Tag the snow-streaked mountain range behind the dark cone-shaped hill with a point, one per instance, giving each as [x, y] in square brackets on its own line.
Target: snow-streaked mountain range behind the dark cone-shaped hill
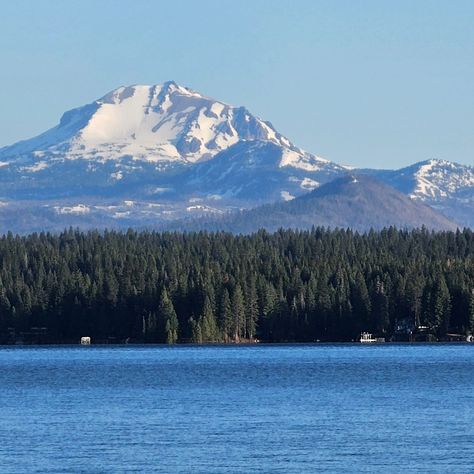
[143, 154]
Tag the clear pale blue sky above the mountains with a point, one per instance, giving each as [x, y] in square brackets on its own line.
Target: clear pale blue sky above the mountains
[379, 83]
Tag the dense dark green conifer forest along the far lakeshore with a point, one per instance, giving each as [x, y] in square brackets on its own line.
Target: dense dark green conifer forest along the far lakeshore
[198, 287]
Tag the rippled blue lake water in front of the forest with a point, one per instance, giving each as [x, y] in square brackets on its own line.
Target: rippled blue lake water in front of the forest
[237, 409]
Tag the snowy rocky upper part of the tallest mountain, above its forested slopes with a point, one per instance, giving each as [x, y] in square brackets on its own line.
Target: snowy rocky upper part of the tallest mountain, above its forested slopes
[155, 123]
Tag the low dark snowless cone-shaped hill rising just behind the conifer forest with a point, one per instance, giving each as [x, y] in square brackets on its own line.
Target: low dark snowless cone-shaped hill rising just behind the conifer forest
[354, 201]
